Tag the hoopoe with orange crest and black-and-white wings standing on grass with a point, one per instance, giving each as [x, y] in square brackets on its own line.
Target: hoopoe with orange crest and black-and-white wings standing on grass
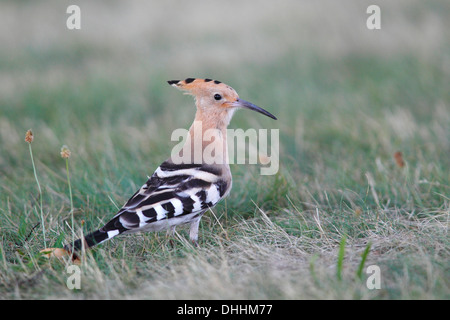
[180, 192]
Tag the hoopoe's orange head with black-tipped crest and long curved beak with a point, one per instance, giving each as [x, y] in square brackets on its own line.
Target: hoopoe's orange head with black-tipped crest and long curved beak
[215, 97]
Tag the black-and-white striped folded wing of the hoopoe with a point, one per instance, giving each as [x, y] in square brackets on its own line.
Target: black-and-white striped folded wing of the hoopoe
[173, 195]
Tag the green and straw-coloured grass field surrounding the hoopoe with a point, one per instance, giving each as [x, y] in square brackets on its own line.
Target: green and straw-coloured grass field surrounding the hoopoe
[339, 204]
